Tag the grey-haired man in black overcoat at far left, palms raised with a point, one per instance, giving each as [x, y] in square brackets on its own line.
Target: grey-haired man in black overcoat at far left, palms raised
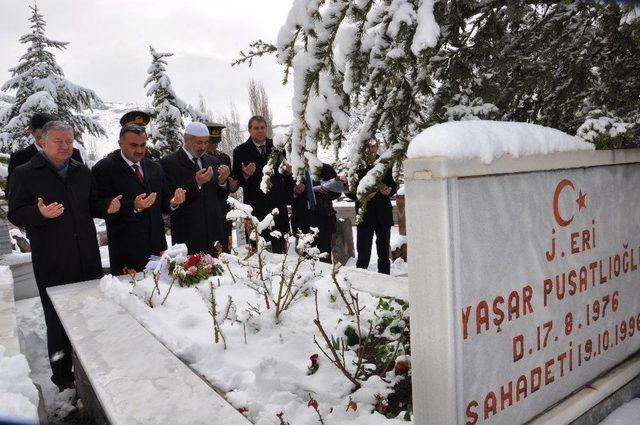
[54, 197]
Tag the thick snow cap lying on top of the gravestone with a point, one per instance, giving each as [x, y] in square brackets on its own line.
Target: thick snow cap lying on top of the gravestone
[489, 140]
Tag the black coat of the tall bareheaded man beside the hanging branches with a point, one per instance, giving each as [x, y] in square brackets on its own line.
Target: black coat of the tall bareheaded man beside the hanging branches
[279, 195]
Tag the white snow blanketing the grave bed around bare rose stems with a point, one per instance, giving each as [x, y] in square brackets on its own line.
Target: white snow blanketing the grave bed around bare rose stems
[267, 373]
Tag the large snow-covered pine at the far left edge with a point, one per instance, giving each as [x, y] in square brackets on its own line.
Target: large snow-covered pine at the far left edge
[40, 86]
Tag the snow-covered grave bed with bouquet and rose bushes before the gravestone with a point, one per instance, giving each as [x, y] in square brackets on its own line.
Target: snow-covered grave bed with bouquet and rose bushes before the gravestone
[294, 345]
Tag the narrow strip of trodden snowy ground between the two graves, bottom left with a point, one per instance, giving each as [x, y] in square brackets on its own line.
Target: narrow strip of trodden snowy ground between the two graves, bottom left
[59, 405]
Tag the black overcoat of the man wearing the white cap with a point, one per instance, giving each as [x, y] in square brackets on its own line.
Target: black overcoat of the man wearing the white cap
[198, 221]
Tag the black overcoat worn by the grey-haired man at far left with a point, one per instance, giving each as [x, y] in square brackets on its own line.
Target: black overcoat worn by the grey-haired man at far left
[65, 248]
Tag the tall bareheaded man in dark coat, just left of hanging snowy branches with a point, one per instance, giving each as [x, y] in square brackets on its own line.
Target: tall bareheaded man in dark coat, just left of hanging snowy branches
[249, 159]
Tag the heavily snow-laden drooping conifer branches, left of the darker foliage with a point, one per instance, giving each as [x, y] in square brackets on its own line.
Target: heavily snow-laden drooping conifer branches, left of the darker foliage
[348, 53]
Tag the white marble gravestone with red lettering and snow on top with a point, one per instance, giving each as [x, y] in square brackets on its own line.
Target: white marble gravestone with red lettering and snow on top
[524, 246]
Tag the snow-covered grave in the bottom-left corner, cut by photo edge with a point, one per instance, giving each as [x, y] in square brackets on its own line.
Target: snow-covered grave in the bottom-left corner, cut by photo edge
[18, 395]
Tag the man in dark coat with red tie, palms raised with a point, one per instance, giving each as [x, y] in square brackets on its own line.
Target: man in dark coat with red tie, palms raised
[137, 230]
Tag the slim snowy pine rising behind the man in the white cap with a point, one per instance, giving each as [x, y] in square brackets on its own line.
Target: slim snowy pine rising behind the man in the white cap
[168, 108]
